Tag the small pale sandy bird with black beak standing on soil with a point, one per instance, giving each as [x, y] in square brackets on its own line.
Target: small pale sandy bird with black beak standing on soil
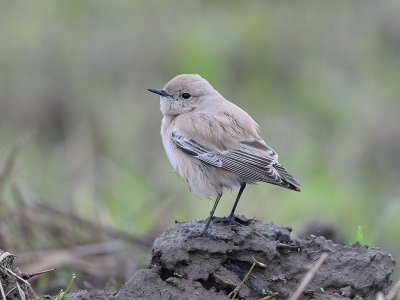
[213, 144]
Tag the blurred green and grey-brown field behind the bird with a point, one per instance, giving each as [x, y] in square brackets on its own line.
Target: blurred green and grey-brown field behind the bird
[322, 79]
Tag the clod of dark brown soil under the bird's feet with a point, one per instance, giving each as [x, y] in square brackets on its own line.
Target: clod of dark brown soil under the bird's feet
[210, 267]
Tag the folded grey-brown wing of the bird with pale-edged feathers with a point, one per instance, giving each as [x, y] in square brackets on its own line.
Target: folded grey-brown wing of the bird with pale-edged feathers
[253, 160]
